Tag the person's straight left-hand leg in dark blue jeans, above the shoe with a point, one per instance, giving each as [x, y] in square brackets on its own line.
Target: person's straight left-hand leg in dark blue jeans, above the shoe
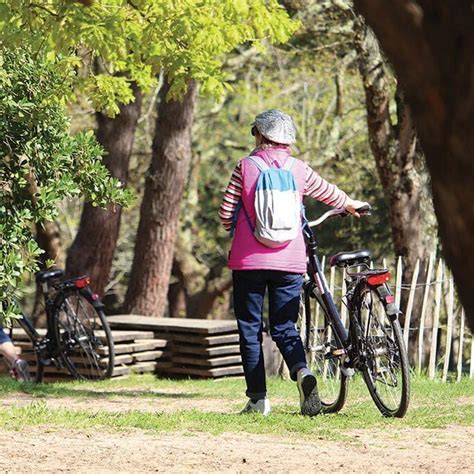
[249, 292]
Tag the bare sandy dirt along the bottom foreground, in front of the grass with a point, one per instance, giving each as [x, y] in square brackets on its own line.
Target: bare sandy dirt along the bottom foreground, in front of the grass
[58, 450]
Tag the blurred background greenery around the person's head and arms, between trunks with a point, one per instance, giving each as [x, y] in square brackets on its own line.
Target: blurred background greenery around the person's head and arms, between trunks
[335, 147]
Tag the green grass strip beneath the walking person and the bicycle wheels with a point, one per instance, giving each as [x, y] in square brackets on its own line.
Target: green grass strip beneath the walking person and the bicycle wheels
[433, 405]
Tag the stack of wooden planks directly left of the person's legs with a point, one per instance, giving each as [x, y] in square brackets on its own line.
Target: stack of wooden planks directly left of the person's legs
[197, 347]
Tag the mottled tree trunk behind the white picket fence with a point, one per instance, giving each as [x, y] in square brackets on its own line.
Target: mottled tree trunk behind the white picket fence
[398, 162]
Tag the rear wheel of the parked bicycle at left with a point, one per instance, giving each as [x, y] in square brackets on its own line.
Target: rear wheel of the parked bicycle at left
[83, 332]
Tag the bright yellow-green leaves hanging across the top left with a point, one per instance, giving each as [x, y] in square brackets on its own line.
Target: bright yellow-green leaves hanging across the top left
[136, 40]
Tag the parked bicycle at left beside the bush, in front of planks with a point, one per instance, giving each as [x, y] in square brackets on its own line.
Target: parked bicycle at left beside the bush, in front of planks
[78, 336]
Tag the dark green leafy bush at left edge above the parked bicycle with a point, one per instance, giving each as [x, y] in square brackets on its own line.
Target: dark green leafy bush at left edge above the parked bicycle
[41, 163]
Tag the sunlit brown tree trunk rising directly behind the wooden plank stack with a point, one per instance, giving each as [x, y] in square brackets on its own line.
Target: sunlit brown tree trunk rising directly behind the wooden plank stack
[159, 213]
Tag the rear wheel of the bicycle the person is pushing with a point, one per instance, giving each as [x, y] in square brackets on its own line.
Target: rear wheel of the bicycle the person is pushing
[386, 370]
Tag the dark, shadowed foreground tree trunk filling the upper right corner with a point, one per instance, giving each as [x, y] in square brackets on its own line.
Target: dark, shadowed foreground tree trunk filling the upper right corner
[431, 47]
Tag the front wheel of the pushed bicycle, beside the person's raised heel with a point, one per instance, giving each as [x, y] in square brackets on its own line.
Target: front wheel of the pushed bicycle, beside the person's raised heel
[321, 354]
